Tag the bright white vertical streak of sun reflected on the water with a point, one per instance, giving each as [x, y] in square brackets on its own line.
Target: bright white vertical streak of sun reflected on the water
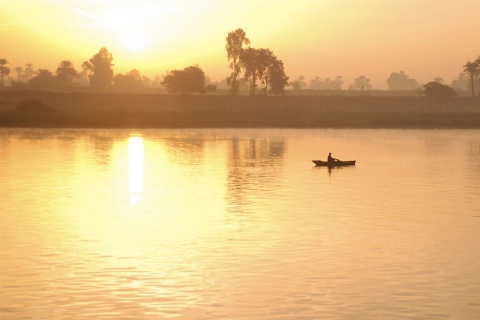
[135, 168]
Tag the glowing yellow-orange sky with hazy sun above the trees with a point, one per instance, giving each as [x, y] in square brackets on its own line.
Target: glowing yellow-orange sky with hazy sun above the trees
[324, 38]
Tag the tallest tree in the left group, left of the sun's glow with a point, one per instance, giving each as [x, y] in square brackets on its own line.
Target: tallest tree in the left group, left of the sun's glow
[100, 67]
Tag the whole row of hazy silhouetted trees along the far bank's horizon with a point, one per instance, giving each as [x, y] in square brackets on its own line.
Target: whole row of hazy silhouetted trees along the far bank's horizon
[260, 71]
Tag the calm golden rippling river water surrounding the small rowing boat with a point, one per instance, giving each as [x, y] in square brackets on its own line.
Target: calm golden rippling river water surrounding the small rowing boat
[239, 224]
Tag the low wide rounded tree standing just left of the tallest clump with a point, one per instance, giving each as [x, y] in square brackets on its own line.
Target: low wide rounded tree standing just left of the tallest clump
[186, 81]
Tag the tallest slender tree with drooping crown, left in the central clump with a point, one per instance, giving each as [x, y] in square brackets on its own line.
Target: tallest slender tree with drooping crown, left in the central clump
[235, 42]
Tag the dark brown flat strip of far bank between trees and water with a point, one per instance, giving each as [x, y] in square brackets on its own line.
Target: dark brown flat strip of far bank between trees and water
[115, 110]
